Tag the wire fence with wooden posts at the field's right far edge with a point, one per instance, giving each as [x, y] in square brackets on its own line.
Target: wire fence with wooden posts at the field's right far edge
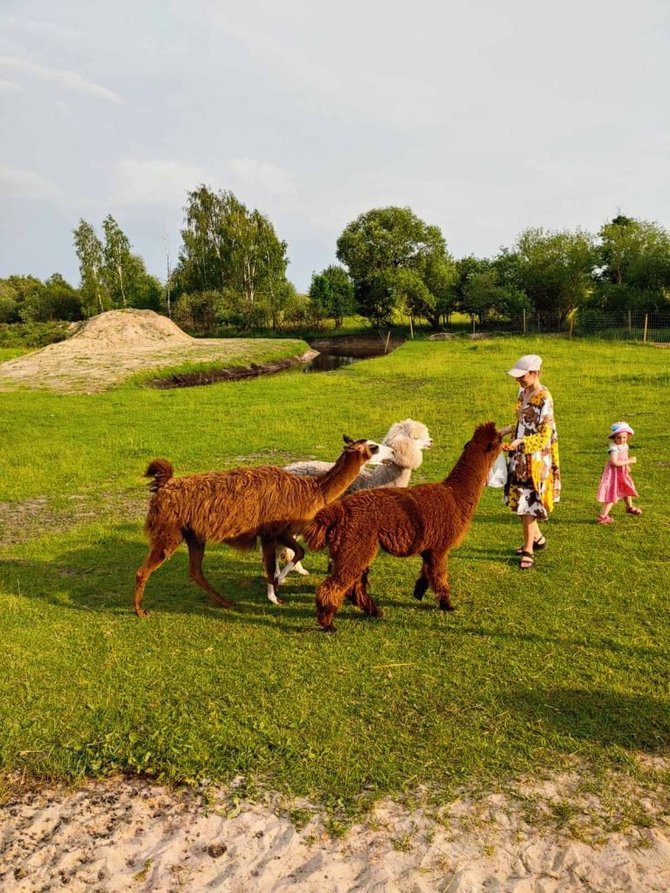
[626, 325]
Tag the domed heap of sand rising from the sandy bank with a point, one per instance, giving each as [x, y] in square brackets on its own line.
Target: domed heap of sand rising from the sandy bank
[129, 328]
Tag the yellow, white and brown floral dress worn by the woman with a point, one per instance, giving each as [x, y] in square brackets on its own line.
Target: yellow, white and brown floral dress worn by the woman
[534, 479]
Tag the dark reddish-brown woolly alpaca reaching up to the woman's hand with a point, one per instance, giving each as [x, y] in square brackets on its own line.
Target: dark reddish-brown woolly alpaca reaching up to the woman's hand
[426, 520]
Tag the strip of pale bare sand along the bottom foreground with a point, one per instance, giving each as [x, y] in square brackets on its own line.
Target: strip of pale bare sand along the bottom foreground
[131, 835]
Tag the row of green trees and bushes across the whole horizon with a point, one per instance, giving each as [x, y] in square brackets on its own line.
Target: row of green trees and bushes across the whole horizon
[231, 273]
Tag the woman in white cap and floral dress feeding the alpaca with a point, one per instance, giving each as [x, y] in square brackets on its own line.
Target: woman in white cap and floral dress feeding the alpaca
[534, 482]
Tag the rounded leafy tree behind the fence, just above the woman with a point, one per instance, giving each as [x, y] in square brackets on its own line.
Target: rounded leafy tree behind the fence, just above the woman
[555, 269]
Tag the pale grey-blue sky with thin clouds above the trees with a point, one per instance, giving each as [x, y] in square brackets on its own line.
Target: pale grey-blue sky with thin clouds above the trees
[483, 117]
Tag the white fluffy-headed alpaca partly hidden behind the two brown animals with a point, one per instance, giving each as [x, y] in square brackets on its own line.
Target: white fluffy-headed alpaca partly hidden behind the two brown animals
[407, 439]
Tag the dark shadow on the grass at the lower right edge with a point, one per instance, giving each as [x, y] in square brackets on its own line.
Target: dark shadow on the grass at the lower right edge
[604, 717]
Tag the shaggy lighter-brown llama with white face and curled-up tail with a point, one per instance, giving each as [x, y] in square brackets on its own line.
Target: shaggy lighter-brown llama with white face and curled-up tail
[237, 507]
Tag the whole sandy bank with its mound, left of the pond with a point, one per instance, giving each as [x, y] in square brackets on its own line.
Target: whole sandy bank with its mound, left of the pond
[115, 345]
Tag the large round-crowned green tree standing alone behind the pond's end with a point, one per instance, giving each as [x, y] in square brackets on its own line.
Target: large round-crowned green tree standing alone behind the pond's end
[382, 242]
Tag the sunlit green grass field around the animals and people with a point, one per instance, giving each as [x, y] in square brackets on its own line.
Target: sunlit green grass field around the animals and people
[534, 671]
